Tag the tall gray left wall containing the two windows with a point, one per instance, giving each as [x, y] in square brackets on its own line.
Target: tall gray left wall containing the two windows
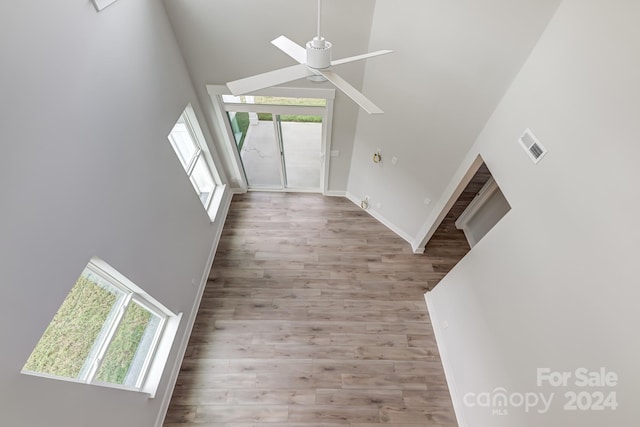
[86, 169]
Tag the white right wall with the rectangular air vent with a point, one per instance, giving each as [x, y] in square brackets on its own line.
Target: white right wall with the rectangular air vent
[554, 283]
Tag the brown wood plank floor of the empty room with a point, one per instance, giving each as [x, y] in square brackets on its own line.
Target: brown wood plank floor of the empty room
[314, 317]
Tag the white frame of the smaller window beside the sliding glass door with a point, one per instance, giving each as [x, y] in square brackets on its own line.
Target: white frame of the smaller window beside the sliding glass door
[212, 203]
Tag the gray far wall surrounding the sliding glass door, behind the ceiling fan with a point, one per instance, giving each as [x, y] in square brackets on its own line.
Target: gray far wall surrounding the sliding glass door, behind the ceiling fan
[225, 40]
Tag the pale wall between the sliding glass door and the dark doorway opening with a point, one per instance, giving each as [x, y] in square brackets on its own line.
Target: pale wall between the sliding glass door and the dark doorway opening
[453, 61]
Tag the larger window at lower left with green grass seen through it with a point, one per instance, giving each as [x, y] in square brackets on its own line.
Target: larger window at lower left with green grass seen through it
[103, 333]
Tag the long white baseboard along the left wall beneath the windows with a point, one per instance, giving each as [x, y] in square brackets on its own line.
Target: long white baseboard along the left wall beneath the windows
[175, 370]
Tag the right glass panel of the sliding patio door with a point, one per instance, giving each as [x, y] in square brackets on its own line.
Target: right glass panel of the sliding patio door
[302, 147]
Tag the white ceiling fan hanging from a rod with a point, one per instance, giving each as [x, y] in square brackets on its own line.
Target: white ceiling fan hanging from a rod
[314, 63]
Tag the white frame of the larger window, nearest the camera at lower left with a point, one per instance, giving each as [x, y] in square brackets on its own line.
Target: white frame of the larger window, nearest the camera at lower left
[157, 354]
